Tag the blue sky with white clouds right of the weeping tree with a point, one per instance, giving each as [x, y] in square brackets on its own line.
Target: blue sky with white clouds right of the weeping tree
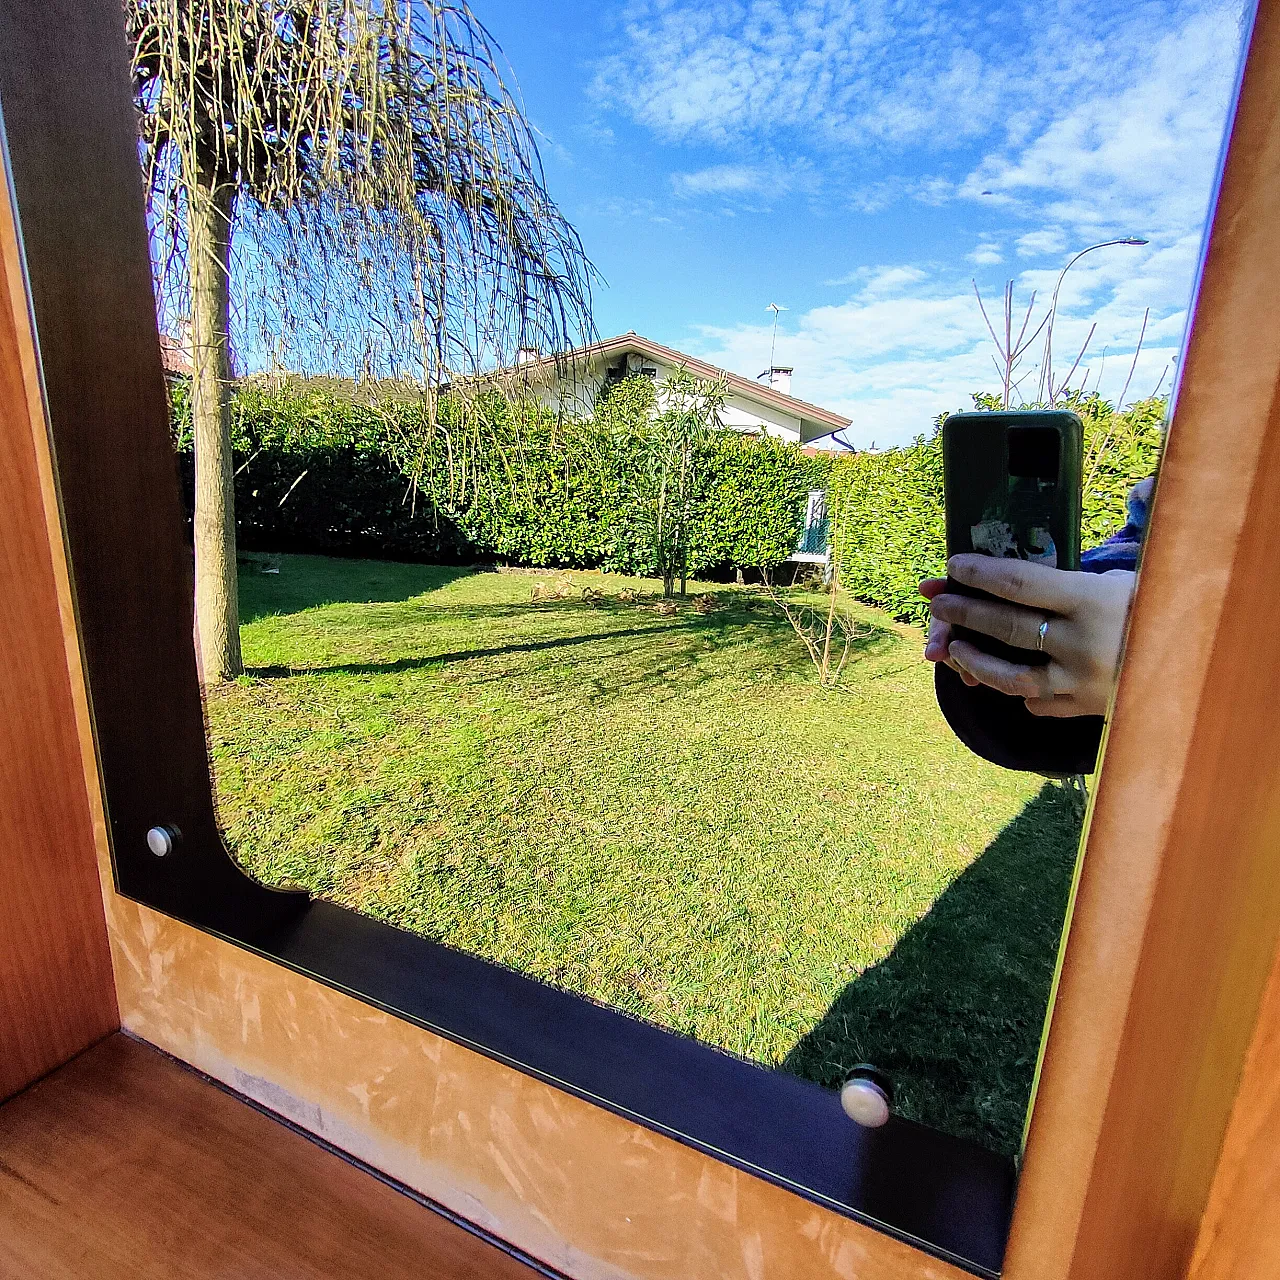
[861, 163]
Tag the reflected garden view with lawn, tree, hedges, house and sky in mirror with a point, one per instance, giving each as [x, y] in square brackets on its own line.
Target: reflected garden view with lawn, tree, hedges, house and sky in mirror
[598, 655]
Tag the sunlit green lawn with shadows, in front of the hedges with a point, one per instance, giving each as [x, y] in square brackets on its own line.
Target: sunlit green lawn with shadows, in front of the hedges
[662, 813]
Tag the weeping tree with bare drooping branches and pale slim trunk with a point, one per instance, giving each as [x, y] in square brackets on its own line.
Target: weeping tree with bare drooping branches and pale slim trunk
[341, 186]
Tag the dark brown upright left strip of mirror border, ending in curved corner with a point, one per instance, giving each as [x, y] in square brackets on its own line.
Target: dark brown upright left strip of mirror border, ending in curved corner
[72, 141]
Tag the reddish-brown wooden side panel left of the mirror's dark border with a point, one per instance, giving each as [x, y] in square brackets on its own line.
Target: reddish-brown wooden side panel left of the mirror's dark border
[57, 994]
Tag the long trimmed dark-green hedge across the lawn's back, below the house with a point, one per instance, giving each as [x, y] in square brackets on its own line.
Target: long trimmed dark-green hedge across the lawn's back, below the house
[321, 469]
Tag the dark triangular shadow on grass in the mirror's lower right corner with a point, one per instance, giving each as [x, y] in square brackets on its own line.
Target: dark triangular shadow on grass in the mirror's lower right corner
[954, 1013]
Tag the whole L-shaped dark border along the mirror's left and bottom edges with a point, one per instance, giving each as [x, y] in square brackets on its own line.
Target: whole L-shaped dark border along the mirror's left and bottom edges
[74, 170]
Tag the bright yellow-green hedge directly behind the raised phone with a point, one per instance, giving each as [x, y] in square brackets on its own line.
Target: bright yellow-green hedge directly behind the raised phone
[889, 516]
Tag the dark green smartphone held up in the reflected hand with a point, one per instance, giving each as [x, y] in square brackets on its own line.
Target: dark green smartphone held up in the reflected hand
[1013, 490]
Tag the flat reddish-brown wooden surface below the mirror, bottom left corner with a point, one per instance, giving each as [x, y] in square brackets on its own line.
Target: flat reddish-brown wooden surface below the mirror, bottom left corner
[126, 1164]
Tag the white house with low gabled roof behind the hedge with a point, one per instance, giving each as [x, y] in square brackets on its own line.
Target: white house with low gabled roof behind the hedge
[573, 382]
